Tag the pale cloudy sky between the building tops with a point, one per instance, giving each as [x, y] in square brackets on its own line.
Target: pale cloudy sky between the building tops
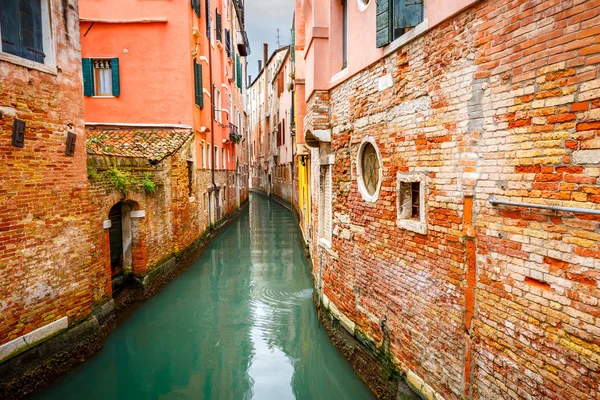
[263, 18]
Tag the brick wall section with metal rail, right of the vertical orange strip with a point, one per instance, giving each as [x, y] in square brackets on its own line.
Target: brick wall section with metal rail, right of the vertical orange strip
[537, 327]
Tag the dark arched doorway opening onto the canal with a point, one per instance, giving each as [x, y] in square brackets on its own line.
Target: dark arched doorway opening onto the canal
[121, 242]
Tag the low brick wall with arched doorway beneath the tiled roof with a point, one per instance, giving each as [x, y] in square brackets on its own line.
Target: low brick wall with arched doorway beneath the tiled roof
[173, 219]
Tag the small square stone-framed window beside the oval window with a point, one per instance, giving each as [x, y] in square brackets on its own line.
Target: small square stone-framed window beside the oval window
[411, 203]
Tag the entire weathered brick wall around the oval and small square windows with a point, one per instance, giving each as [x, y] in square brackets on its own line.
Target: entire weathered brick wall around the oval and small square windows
[500, 100]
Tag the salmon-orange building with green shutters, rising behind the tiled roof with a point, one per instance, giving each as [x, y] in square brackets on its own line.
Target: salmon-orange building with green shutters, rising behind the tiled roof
[165, 64]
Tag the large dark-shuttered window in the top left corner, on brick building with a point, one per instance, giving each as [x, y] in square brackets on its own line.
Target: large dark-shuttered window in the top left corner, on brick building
[21, 29]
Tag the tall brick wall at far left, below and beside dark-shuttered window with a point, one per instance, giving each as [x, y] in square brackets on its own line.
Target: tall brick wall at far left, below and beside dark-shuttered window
[46, 236]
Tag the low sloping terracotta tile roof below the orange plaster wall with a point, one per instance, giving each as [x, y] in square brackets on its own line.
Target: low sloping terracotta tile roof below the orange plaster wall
[153, 144]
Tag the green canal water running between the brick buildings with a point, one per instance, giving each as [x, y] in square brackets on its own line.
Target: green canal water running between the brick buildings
[238, 324]
